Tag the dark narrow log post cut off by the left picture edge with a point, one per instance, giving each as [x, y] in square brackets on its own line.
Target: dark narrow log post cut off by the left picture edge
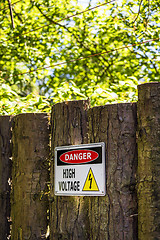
[5, 175]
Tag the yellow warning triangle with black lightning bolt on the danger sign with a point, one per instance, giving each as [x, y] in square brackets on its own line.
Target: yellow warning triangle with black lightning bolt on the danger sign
[90, 183]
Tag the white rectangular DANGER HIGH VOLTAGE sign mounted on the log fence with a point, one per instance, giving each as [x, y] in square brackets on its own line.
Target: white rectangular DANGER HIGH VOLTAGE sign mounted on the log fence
[80, 170]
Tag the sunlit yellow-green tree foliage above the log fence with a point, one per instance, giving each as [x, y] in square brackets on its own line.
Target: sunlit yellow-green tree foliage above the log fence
[26, 86]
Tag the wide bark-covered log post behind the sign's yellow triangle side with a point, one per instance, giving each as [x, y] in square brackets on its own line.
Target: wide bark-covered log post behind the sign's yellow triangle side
[114, 216]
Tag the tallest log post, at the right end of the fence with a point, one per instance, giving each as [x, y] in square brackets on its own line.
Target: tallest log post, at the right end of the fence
[149, 161]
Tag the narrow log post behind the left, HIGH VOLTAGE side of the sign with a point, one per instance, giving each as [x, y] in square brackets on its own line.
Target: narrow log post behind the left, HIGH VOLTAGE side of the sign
[68, 215]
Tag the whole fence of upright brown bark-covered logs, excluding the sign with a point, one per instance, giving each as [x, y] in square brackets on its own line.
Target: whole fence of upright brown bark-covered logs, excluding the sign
[131, 208]
